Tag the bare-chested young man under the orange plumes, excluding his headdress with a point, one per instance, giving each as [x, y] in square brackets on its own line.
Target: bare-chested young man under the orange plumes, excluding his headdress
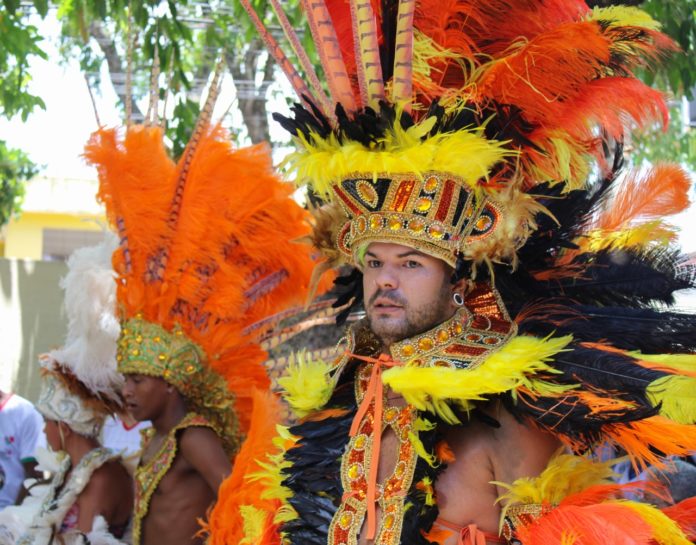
[182, 465]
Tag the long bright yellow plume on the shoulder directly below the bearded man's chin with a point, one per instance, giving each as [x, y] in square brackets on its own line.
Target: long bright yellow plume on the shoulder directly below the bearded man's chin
[507, 369]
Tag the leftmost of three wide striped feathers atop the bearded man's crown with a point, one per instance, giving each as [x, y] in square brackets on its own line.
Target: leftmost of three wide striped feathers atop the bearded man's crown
[329, 50]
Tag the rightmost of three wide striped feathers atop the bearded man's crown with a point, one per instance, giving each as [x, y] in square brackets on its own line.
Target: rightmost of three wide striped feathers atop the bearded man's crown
[403, 54]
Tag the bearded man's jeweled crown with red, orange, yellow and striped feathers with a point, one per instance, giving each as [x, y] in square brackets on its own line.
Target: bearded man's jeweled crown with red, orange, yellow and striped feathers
[443, 116]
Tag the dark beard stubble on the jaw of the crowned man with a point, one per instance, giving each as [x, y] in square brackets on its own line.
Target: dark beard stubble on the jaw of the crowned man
[416, 320]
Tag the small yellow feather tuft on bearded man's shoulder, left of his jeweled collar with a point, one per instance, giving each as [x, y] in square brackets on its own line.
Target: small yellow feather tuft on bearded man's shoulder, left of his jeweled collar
[307, 384]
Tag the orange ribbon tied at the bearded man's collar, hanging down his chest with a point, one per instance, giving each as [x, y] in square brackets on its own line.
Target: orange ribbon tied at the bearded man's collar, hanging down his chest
[374, 392]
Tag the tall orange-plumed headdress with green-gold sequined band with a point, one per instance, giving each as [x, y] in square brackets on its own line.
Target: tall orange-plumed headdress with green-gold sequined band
[206, 252]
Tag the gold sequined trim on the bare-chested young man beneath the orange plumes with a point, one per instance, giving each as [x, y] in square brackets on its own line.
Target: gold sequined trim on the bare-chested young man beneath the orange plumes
[148, 476]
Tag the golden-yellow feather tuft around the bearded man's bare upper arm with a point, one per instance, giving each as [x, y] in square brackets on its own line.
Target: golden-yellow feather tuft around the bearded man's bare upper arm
[566, 474]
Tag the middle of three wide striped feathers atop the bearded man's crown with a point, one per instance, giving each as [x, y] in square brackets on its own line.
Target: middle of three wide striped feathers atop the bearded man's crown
[366, 44]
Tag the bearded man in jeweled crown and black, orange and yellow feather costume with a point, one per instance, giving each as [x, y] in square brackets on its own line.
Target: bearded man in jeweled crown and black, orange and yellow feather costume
[512, 306]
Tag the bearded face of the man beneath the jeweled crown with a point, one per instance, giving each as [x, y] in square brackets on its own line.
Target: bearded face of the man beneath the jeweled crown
[407, 292]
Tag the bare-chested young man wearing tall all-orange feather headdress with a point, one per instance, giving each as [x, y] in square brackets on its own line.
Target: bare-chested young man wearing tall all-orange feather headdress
[206, 257]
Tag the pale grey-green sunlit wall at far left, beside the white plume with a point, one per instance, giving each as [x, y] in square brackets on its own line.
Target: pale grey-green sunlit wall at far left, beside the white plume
[31, 321]
